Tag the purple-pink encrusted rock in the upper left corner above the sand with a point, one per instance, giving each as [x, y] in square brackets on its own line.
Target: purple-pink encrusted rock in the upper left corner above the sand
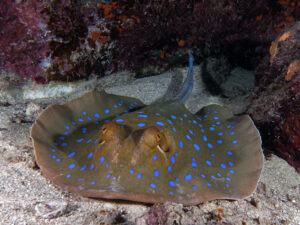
[22, 37]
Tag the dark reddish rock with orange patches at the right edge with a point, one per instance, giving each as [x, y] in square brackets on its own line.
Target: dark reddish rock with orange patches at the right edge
[276, 102]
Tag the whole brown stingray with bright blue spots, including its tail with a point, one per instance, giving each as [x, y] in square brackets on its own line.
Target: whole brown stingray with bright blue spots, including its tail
[109, 146]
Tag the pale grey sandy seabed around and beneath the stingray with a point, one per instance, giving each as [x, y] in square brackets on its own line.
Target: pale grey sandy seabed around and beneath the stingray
[26, 197]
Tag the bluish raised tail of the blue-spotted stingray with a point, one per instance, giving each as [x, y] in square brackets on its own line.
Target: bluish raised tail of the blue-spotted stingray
[187, 86]
